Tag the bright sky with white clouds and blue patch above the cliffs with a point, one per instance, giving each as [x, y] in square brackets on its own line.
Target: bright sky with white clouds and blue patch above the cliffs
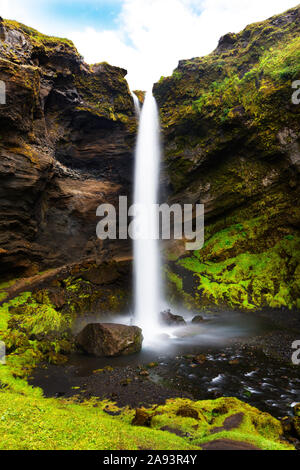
[146, 37]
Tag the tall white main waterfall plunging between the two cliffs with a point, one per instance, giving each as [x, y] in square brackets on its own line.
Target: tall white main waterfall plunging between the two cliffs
[147, 278]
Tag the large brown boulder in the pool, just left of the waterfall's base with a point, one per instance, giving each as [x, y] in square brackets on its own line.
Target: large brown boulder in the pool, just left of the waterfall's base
[110, 339]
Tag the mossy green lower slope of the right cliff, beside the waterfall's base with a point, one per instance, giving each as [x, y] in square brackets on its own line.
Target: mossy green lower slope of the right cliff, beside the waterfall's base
[248, 265]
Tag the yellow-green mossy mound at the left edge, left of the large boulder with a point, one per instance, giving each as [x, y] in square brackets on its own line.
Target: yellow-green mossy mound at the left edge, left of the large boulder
[33, 332]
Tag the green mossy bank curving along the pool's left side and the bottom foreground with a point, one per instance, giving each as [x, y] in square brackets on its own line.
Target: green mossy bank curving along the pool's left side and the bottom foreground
[28, 421]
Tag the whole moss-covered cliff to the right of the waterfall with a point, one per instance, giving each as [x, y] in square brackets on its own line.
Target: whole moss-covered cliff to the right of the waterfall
[231, 137]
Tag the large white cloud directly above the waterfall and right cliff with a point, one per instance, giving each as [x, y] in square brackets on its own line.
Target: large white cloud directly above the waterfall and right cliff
[153, 35]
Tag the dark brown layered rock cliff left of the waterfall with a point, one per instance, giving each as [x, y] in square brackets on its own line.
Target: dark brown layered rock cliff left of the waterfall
[67, 137]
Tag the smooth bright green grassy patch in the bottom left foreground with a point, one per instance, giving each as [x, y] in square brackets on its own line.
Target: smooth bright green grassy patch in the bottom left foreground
[31, 423]
